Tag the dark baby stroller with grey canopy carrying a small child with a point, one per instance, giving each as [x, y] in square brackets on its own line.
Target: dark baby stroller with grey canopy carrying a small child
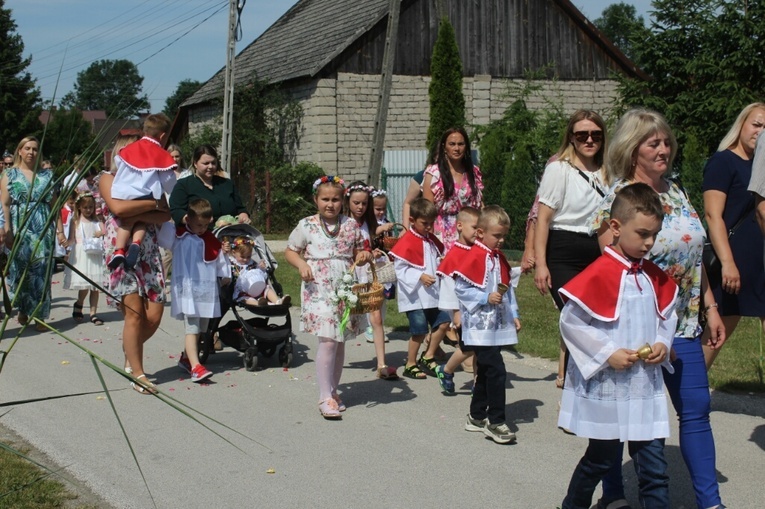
[256, 335]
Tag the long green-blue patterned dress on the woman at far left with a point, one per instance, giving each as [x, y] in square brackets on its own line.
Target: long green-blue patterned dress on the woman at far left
[30, 208]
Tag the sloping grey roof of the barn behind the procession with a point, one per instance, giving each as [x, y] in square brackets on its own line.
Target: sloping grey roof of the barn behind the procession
[304, 40]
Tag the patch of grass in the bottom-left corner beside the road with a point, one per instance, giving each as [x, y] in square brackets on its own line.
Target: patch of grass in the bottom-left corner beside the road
[23, 485]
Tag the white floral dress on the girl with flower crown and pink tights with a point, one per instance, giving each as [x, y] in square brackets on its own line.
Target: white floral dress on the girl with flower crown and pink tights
[329, 258]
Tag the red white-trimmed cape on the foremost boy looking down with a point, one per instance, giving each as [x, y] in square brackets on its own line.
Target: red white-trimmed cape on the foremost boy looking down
[598, 288]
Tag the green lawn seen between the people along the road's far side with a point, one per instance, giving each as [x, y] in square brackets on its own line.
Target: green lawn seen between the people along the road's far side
[737, 368]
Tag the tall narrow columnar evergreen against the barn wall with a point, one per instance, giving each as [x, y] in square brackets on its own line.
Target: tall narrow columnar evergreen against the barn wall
[447, 104]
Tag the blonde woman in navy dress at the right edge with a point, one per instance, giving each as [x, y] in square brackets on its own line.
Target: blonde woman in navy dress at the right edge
[726, 202]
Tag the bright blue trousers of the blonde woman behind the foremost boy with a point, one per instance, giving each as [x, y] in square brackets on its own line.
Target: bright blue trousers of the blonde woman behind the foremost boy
[688, 389]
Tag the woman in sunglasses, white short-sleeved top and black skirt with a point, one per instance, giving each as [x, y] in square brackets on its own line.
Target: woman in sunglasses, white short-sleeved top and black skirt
[570, 191]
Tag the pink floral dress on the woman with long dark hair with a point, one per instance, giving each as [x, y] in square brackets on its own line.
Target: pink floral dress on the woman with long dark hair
[446, 222]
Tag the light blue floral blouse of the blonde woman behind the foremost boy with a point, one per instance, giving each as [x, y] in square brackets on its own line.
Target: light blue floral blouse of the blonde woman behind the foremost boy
[677, 250]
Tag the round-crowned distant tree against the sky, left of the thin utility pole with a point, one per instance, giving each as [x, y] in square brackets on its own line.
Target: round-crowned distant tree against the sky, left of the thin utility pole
[110, 85]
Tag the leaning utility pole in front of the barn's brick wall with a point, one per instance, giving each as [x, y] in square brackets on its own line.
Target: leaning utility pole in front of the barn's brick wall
[383, 99]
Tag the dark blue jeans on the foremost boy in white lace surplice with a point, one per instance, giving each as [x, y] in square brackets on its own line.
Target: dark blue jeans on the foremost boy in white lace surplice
[602, 455]
